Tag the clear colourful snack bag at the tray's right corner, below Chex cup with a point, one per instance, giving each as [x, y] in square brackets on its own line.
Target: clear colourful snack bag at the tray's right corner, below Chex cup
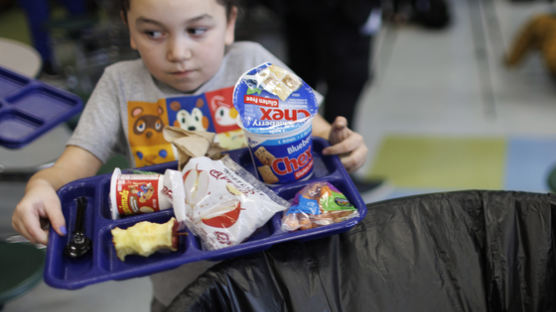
[317, 204]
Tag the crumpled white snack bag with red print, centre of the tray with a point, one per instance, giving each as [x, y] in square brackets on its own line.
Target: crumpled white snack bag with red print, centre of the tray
[220, 201]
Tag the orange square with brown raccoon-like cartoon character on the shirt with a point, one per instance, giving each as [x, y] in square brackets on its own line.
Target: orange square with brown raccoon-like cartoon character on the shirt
[146, 122]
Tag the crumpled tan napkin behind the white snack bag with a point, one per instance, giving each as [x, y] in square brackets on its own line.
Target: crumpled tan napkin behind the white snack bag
[192, 144]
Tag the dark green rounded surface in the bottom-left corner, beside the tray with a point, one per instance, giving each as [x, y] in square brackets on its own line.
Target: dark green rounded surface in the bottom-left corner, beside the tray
[21, 267]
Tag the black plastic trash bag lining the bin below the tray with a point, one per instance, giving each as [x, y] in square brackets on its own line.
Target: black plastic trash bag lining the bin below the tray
[458, 251]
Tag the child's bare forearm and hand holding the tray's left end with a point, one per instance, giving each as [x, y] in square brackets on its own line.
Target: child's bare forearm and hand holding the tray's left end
[41, 202]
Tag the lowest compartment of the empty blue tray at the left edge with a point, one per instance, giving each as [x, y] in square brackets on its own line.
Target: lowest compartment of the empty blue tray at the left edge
[15, 126]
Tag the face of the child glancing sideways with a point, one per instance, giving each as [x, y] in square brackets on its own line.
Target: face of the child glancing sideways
[181, 42]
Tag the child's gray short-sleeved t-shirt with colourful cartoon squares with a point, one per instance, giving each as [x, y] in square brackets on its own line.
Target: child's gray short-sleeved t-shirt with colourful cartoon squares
[126, 93]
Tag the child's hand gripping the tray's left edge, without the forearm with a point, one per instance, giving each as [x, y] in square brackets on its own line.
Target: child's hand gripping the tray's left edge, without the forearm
[40, 204]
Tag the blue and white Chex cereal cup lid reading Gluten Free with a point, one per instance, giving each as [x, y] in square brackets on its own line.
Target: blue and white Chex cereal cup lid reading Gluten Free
[271, 100]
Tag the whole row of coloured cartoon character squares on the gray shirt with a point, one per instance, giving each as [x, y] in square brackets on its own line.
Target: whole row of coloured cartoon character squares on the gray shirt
[212, 111]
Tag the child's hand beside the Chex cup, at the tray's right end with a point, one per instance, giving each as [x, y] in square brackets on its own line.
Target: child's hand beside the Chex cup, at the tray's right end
[349, 145]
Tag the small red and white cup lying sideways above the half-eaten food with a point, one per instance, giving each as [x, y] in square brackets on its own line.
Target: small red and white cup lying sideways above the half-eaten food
[136, 193]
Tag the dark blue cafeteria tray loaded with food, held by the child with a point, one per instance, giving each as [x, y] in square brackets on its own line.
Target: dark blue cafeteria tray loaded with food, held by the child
[102, 264]
